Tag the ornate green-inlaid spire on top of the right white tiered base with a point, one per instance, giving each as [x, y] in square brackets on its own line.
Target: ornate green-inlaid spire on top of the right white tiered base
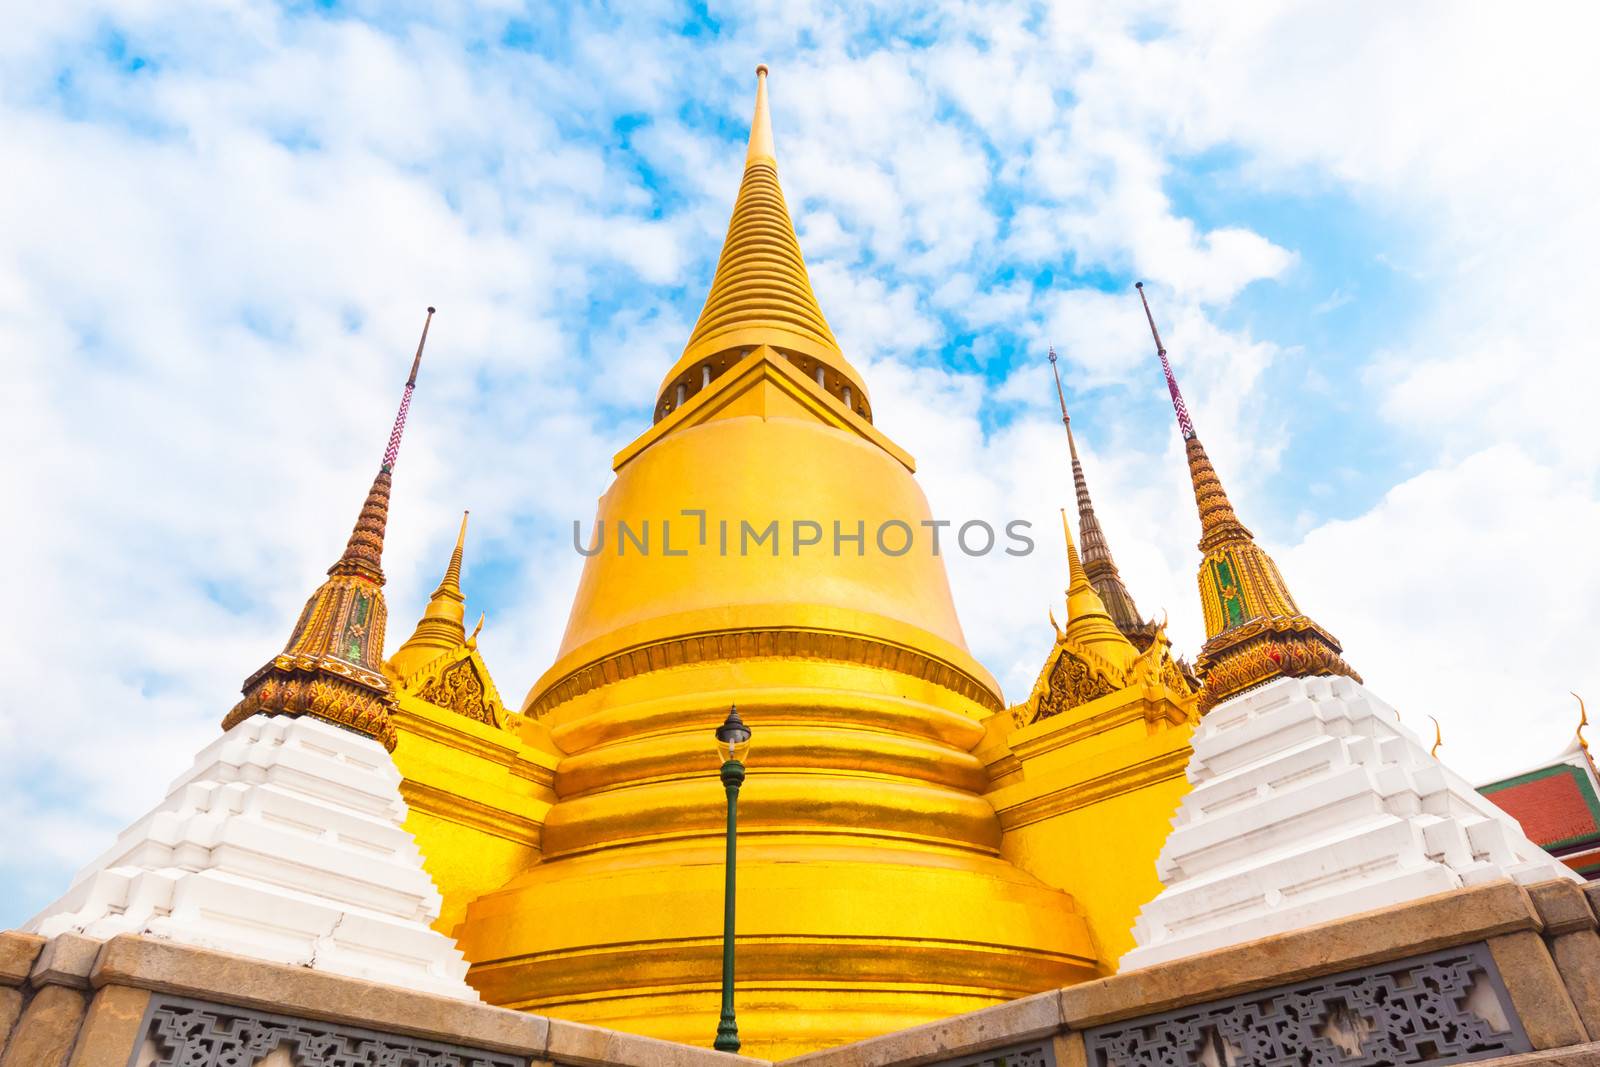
[1255, 631]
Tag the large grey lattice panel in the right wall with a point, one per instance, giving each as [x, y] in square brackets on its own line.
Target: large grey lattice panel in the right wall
[1439, 1009]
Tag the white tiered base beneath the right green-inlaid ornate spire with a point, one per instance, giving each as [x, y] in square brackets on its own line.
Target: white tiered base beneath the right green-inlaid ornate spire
[1313, 802]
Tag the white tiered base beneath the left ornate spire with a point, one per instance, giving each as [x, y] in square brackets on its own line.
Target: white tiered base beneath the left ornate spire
[284, 842]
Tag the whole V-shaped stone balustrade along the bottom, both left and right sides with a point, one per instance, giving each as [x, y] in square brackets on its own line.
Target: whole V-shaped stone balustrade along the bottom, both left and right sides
[1492, 975]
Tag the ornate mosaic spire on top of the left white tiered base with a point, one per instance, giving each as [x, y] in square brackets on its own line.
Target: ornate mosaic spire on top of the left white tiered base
[332, 666]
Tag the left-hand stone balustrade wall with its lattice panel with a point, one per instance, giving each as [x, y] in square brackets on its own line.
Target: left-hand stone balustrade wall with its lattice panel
[140, 1002]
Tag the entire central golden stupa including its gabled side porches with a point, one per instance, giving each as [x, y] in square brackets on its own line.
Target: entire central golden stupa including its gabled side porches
[910, 845]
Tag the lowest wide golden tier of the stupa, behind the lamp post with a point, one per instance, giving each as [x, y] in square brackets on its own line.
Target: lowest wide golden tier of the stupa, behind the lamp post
[838, 940]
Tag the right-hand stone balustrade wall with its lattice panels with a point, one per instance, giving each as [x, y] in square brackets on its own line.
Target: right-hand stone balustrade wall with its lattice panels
[1529, 961]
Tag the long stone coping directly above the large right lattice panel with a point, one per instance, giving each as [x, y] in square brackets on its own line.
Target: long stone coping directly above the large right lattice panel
[1345, 945]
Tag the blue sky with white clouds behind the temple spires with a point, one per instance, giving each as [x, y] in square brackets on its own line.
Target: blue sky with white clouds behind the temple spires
[1369, 255]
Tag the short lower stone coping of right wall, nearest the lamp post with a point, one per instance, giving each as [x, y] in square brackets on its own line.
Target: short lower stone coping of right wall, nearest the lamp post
[959, 1036]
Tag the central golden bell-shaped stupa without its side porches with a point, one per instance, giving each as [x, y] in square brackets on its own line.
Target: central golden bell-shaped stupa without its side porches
[873, 889]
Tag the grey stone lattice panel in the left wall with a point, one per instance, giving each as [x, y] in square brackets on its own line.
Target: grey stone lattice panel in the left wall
[196, 1034]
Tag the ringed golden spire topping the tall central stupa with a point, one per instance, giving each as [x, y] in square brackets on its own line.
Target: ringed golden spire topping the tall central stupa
[761, 294]
